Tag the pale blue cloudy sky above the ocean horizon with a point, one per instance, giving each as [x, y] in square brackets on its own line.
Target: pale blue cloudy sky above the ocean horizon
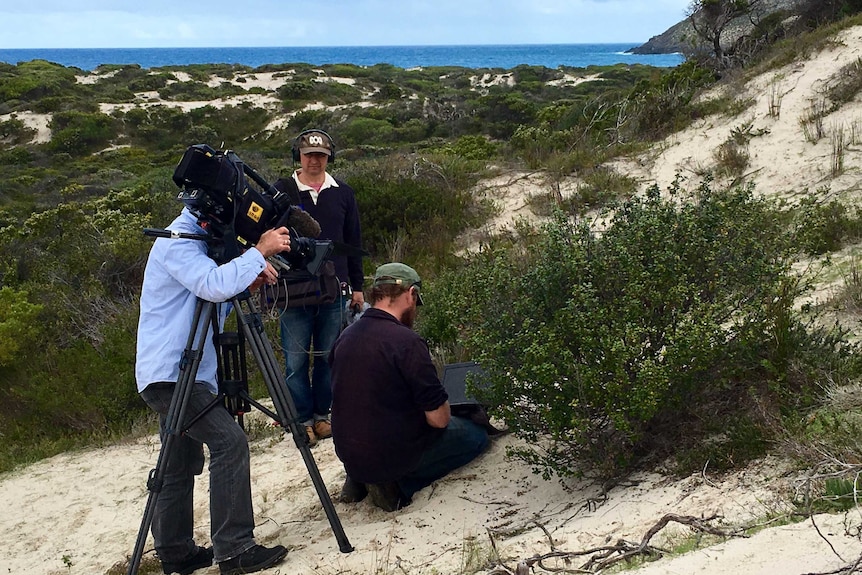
[220, 23]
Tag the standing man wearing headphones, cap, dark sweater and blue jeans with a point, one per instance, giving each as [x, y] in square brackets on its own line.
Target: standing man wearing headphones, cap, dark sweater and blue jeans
[308, 332]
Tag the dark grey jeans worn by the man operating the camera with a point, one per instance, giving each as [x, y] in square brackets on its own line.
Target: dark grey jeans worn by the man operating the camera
[231, 513]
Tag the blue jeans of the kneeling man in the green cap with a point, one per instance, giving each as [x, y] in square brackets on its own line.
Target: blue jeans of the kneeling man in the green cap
[460, 443]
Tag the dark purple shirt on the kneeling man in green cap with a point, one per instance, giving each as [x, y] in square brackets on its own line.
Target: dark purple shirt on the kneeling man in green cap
[383, 382]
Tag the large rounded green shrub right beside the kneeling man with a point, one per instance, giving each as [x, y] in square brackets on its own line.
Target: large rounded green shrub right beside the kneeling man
[645, 341]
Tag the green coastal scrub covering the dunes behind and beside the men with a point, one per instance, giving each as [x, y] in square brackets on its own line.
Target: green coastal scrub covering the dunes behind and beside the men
[601, 347]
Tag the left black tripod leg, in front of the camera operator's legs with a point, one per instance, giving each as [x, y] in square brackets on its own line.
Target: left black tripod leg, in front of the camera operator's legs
[174, 419]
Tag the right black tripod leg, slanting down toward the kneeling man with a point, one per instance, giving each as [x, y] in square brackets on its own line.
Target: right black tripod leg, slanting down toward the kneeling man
[252, 327]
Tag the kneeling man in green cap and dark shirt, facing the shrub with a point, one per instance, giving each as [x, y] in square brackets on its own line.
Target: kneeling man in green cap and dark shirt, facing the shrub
[391, 422]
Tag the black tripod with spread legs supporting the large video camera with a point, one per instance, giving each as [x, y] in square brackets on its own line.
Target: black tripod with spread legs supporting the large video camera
[238, 401]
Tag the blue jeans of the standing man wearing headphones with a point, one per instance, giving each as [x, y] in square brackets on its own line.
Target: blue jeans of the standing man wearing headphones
[307, 332]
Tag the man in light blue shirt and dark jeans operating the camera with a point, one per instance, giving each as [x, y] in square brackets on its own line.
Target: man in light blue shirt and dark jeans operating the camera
[179, 271]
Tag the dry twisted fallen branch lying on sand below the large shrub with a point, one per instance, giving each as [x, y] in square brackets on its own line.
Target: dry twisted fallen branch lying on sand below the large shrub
[600, 558]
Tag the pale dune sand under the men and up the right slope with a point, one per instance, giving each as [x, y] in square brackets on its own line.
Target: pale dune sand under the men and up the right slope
[79, 513]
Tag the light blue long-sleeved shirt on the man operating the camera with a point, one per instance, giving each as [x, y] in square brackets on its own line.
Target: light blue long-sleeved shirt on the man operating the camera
[178, 272]
